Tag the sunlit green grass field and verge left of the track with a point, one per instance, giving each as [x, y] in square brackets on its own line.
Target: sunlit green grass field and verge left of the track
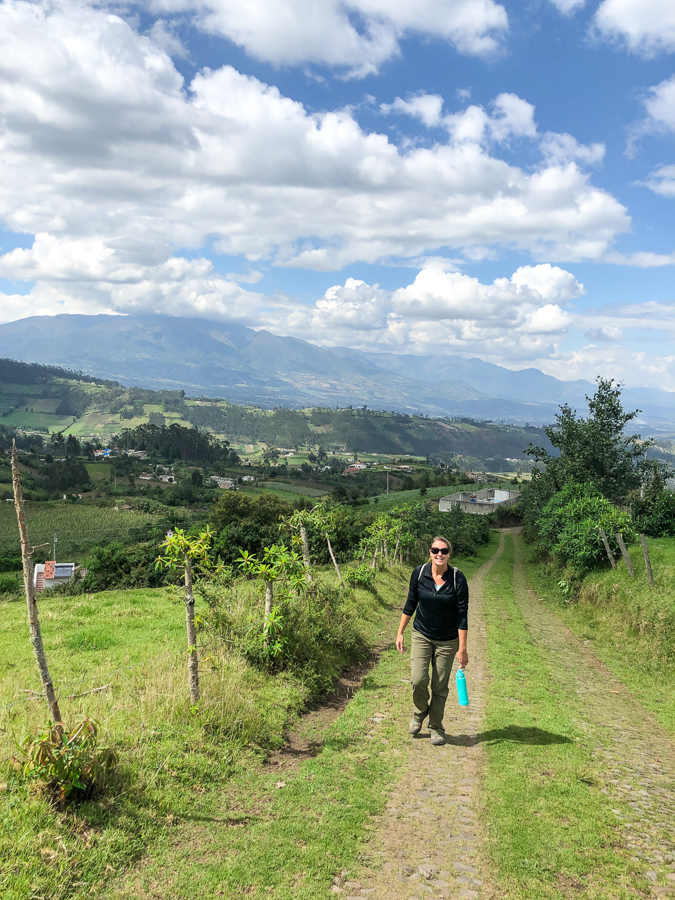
[182, 769]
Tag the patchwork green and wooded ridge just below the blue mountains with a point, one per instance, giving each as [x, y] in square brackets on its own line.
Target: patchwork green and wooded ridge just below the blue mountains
[48, 399]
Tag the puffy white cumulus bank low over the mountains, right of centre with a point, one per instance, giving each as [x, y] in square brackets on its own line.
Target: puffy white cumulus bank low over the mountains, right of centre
[512, 317]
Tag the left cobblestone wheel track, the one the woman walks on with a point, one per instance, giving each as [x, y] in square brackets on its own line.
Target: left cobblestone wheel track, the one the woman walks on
[427, 842]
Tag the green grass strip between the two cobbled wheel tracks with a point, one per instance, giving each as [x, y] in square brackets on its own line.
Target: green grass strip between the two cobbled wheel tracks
[544, 819]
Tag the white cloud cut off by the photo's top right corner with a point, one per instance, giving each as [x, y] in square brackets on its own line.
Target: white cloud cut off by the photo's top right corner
[646, 27]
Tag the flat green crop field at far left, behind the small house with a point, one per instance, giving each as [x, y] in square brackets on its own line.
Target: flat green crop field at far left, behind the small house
[77, 526]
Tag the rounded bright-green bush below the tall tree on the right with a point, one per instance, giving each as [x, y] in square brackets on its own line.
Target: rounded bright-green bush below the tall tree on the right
[569, 526]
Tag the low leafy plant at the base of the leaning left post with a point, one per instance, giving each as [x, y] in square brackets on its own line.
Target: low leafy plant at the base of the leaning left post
[71, 764]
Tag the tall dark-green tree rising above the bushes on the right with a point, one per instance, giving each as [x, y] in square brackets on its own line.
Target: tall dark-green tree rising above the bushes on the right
[594, 449]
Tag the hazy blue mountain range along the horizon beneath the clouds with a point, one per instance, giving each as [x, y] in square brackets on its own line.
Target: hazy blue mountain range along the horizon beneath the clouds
[219, 359]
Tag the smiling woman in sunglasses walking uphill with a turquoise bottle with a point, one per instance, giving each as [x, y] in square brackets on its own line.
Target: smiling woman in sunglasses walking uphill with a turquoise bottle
[440, 594]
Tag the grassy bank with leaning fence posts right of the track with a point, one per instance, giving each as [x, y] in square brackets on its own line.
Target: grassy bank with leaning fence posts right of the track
[629, 625]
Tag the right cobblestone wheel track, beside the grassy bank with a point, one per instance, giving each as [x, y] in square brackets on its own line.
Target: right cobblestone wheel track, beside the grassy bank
[635, 755]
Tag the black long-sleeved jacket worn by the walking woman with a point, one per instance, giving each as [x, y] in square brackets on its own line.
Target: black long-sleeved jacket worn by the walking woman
[439, 613]
